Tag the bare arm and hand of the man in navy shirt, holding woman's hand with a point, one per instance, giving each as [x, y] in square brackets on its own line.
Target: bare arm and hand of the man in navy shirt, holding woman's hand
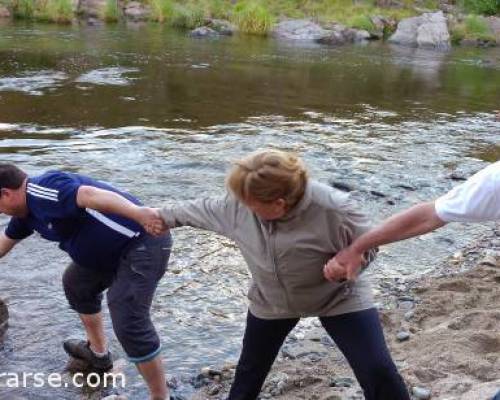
[109, 202]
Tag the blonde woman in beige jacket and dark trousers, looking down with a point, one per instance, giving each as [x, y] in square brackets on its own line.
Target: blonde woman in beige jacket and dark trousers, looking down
[288, 227]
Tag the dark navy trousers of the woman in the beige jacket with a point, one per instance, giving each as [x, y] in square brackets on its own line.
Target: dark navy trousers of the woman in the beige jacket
[358, 335]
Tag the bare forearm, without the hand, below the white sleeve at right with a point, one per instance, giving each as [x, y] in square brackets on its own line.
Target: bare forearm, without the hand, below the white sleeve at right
[415, 221]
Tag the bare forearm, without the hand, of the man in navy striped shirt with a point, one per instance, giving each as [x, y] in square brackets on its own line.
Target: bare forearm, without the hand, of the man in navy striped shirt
[107, 202]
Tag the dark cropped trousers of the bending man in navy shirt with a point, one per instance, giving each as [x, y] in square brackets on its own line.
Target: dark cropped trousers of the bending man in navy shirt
[130, 293]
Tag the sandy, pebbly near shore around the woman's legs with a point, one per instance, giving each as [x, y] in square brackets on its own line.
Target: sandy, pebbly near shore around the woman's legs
[443, 332]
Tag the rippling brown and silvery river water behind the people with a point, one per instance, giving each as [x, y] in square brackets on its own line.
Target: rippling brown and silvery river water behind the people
[162, 115]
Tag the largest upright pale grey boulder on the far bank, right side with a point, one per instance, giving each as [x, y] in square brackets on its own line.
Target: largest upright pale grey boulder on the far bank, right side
[430, 30]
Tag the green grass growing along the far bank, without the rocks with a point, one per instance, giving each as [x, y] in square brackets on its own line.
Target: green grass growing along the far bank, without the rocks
[258, 16]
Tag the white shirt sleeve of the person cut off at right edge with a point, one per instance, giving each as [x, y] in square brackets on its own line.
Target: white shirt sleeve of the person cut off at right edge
[475, 200]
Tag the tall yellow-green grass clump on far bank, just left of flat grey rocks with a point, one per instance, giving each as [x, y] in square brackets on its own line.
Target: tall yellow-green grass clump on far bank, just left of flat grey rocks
[253, 17]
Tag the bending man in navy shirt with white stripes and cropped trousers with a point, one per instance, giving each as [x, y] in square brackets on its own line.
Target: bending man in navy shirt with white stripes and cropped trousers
[104, 232]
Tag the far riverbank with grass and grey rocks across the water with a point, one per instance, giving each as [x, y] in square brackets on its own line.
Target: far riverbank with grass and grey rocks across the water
[412, 24]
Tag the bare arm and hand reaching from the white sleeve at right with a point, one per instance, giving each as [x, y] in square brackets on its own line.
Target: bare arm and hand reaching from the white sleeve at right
[415, 221]
